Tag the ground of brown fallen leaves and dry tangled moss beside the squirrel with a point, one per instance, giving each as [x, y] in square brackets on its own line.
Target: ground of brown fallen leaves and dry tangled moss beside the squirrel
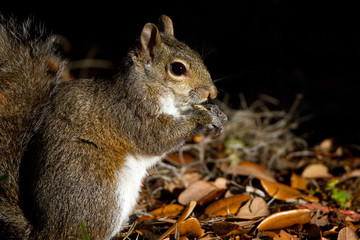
[257, 180]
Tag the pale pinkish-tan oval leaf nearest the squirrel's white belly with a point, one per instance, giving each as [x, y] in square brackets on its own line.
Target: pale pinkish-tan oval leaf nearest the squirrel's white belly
[196, 191]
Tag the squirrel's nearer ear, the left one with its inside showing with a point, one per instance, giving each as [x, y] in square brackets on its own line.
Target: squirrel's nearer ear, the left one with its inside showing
[150, 38]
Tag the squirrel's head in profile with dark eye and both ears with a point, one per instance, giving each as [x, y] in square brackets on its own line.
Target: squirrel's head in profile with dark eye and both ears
[175, 66]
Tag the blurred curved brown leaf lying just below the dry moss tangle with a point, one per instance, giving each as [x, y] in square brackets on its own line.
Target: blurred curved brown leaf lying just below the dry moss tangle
[251, 169]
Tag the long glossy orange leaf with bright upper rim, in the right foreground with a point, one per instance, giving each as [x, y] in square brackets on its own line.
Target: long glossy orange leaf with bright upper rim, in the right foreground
[285, 219]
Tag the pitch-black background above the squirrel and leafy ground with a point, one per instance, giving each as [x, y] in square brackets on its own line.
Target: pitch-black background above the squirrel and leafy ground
[275, 47]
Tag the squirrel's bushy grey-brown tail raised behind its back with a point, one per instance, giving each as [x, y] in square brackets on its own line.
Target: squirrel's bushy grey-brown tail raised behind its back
[29, 71]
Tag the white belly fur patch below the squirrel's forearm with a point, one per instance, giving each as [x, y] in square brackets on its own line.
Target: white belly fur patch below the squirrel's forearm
[129, 179]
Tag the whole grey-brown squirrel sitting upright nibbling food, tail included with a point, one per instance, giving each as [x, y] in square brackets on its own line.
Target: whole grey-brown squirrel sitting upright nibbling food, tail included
[79, 149]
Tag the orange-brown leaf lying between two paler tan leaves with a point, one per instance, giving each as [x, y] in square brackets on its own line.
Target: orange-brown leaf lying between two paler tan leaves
[226, 206]
